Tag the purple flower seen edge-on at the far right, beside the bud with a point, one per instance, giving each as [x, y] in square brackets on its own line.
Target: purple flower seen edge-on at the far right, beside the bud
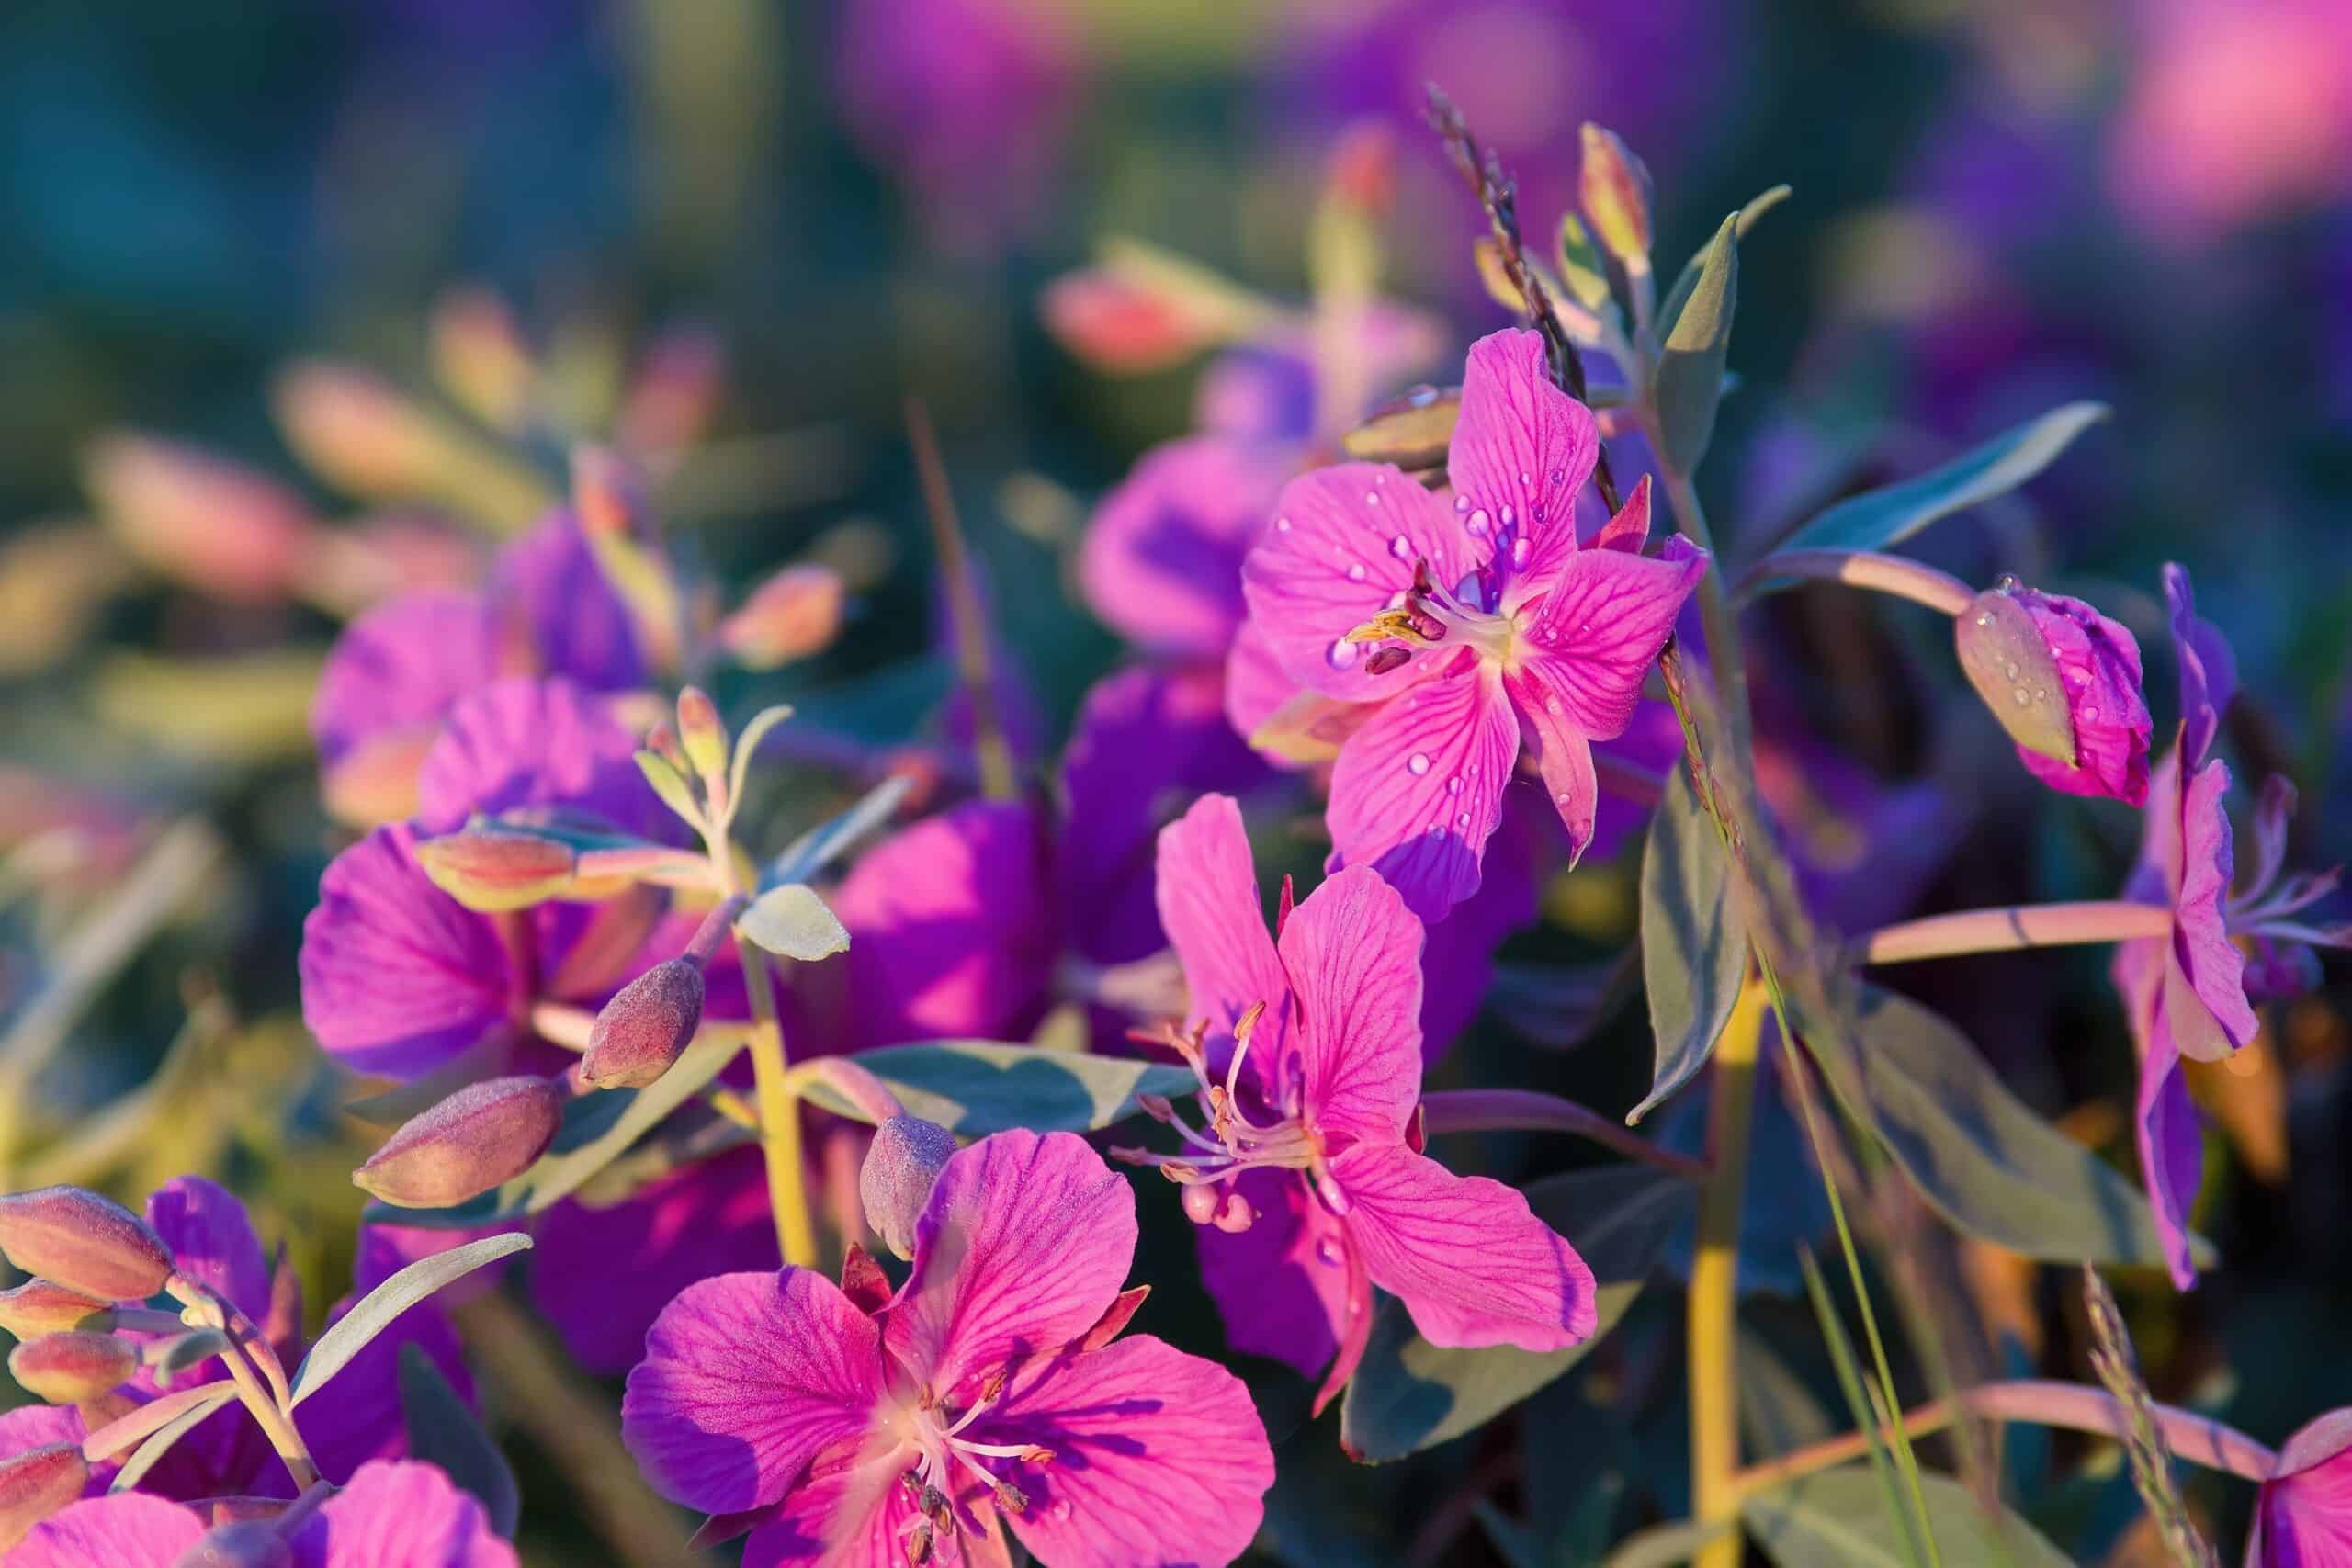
[2189, 993]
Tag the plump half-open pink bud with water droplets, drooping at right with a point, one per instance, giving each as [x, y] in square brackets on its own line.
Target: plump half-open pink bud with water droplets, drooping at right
[2064, 683]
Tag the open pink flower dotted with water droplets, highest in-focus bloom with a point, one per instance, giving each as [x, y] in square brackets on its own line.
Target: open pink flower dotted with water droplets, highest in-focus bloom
[1476, 626]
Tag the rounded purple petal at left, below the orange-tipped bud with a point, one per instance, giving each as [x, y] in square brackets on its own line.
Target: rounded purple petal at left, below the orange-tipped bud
[396, 977]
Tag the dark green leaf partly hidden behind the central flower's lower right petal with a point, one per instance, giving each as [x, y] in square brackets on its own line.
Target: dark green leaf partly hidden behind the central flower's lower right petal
[1410, 1395]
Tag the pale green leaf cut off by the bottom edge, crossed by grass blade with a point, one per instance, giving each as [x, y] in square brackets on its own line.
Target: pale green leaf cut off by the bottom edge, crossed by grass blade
[1838, 1520]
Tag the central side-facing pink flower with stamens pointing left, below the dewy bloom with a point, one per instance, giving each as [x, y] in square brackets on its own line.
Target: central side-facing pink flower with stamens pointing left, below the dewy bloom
[1309, 1184]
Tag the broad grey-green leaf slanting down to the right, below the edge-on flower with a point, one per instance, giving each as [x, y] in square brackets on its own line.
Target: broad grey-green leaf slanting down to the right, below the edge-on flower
[1972, 1148]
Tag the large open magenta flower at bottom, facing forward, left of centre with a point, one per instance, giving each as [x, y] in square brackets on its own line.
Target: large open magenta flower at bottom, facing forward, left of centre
[991, 1388]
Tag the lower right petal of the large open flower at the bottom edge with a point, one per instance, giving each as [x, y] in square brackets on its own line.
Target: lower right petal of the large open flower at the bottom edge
[1158, 1459]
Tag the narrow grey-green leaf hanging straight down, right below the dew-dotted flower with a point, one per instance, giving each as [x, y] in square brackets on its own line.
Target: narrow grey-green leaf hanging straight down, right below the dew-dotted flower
[1695, 939]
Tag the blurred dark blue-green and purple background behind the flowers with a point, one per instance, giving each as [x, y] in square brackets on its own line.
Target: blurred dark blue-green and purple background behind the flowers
[737, 236]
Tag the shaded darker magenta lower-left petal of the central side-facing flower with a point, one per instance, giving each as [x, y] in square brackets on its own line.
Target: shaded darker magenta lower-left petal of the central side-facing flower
[1281, 1285]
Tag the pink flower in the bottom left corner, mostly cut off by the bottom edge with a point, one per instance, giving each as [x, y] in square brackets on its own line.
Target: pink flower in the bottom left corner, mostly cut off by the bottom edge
[387, 1515]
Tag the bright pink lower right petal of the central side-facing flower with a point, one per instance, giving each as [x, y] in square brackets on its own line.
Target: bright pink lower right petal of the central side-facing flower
[1466, 1257]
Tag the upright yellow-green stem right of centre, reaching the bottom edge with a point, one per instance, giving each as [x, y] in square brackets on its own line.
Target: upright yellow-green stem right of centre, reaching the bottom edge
[1713, 1308]
